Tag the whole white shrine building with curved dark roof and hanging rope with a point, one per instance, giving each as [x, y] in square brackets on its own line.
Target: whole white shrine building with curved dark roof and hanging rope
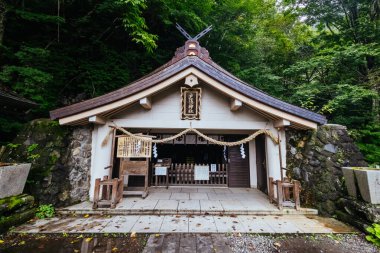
[190, 123]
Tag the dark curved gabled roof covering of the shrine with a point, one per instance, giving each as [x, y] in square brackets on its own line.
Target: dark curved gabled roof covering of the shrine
[186, 57]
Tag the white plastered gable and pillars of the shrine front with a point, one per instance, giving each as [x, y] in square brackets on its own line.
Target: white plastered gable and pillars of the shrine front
[165, 114]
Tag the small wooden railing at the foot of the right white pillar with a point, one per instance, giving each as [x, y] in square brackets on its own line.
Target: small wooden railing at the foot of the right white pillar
[287, 193]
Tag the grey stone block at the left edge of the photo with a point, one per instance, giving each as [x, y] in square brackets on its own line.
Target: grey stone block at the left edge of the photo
[13, 179]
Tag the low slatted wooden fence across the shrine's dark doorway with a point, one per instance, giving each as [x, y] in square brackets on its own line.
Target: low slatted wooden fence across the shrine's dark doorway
[183, 174]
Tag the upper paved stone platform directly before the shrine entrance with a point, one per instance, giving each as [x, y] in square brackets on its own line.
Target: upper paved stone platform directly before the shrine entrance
[197, 201]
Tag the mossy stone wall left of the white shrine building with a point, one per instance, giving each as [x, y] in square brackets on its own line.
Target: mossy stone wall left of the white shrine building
[61, 161]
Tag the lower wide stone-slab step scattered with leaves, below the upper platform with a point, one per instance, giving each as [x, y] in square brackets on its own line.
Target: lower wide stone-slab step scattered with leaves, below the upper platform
[186, 224]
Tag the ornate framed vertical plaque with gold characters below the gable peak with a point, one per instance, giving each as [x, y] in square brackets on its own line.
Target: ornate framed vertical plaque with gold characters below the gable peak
[191, 103]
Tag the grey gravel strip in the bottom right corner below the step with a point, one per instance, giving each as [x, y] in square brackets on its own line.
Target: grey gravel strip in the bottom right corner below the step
[340, 243]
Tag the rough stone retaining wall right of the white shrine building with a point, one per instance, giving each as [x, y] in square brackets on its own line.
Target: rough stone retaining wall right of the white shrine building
[315, 158]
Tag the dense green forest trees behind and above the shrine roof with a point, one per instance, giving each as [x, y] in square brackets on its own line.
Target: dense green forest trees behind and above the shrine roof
[323, 55]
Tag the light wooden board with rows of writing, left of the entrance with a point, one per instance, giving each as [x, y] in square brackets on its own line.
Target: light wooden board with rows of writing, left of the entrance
[131, 147]
